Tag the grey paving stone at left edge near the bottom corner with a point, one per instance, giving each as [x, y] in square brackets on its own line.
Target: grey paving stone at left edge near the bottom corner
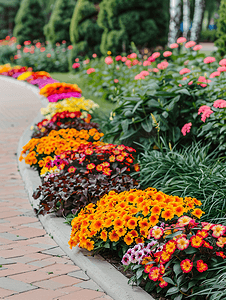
[15, 285]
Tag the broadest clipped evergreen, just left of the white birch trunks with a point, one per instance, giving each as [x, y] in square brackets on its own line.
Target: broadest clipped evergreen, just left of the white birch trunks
[143, 22]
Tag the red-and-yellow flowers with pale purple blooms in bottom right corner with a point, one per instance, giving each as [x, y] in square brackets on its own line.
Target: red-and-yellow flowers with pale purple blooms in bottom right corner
[189, 247]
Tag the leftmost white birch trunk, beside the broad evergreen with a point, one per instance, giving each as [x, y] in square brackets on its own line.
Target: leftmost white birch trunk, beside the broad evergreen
[174, 24]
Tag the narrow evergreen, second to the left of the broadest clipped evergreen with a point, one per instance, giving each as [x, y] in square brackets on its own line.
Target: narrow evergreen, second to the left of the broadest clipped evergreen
[57, 29]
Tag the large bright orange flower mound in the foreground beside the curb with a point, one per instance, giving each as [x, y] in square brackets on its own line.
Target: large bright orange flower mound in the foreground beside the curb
[127, 217]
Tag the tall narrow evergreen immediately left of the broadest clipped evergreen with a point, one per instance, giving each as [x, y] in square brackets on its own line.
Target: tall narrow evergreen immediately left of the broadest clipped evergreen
[85, 33]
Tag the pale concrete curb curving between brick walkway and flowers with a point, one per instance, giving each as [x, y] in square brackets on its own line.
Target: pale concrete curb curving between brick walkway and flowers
[103, 273]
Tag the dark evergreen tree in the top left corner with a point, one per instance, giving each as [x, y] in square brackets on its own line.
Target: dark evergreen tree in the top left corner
[8, 10]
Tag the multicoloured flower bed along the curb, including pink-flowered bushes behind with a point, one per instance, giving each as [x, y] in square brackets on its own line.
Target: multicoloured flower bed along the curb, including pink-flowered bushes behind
[158, 236]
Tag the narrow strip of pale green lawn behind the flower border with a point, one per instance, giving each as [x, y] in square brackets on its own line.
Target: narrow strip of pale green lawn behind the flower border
[105, 106]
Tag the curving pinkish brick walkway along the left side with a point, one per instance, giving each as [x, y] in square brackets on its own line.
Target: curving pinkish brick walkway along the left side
[32, 266]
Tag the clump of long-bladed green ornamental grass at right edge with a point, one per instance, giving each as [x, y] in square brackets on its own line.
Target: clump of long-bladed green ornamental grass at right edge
[193, 171]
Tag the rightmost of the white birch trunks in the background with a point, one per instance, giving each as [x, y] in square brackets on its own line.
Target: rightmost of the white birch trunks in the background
[197, 20]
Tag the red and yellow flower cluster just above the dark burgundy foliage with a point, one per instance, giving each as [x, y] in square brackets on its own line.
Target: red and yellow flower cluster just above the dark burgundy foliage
[91, 158]
